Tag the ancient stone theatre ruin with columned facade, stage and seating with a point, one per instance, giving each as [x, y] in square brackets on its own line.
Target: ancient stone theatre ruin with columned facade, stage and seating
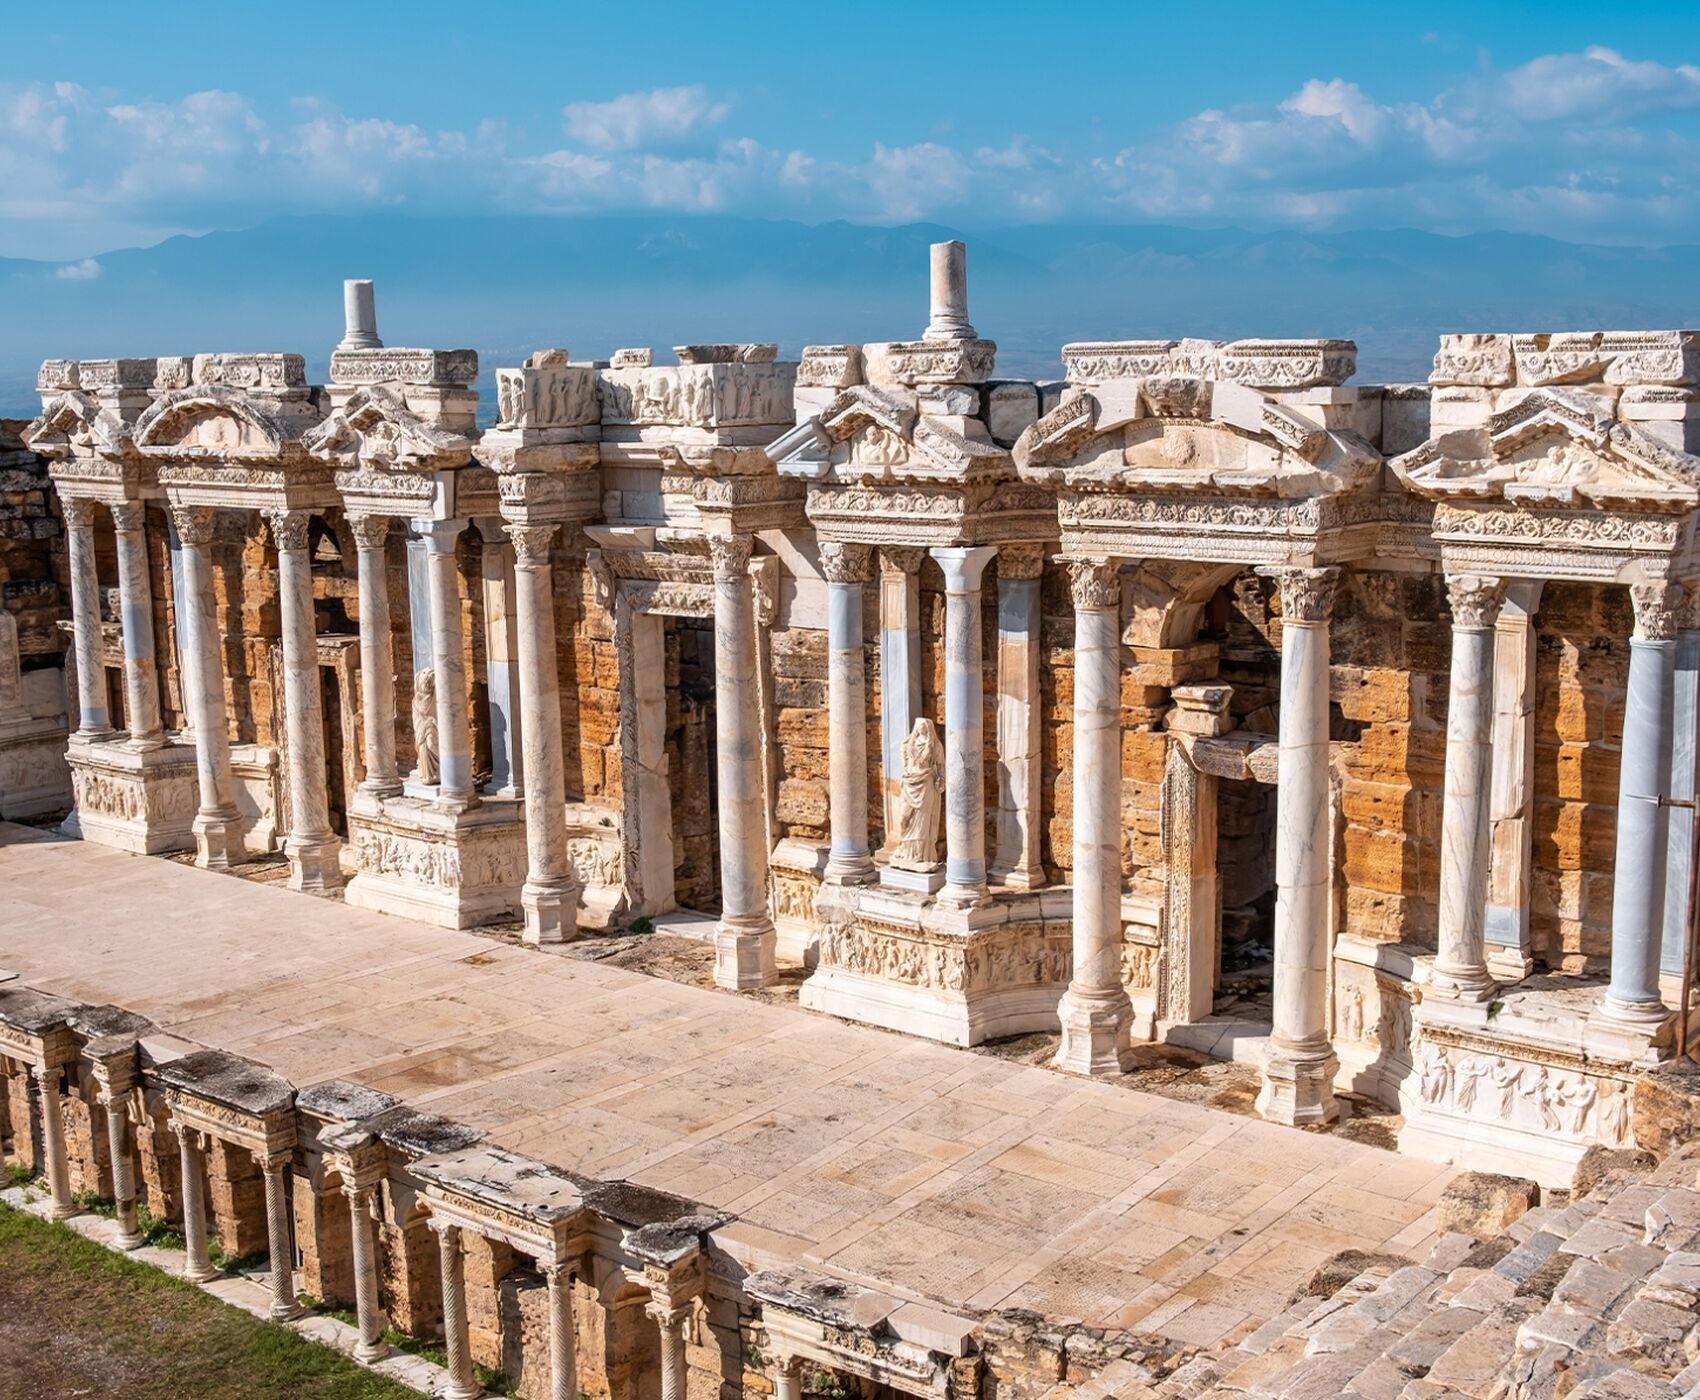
[1201, 699]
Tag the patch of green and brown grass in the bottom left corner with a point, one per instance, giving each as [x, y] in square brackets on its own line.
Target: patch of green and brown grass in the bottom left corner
[77, 1319]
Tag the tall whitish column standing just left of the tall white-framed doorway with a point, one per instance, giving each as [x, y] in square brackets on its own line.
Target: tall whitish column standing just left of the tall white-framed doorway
[550, 896]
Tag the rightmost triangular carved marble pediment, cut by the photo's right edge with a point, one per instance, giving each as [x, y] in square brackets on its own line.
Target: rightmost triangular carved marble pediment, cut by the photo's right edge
[1560, 451]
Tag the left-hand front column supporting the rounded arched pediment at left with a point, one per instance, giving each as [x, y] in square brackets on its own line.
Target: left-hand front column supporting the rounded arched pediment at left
[218, 837]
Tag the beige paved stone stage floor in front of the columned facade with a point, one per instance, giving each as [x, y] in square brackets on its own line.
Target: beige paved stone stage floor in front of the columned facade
[926, 1171]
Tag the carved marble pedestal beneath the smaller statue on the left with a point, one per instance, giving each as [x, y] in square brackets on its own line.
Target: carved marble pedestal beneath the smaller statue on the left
[441, 867]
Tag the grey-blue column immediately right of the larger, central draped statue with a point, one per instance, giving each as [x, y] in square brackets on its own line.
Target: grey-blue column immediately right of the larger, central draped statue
[965, 726]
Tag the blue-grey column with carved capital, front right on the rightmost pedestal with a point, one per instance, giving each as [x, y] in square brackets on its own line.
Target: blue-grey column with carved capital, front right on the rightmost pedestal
[1643, 821]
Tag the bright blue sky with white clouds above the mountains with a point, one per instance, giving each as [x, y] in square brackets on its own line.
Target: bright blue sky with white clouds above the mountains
[122, 125]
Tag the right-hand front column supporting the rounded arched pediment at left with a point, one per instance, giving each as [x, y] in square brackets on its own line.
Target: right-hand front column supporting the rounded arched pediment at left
[312, 845]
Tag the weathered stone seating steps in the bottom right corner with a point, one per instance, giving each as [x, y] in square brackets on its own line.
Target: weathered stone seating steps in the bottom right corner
[1595, 1299]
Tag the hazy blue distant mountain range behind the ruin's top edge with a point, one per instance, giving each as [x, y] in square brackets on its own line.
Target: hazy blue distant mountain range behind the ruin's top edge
[506, 286]
